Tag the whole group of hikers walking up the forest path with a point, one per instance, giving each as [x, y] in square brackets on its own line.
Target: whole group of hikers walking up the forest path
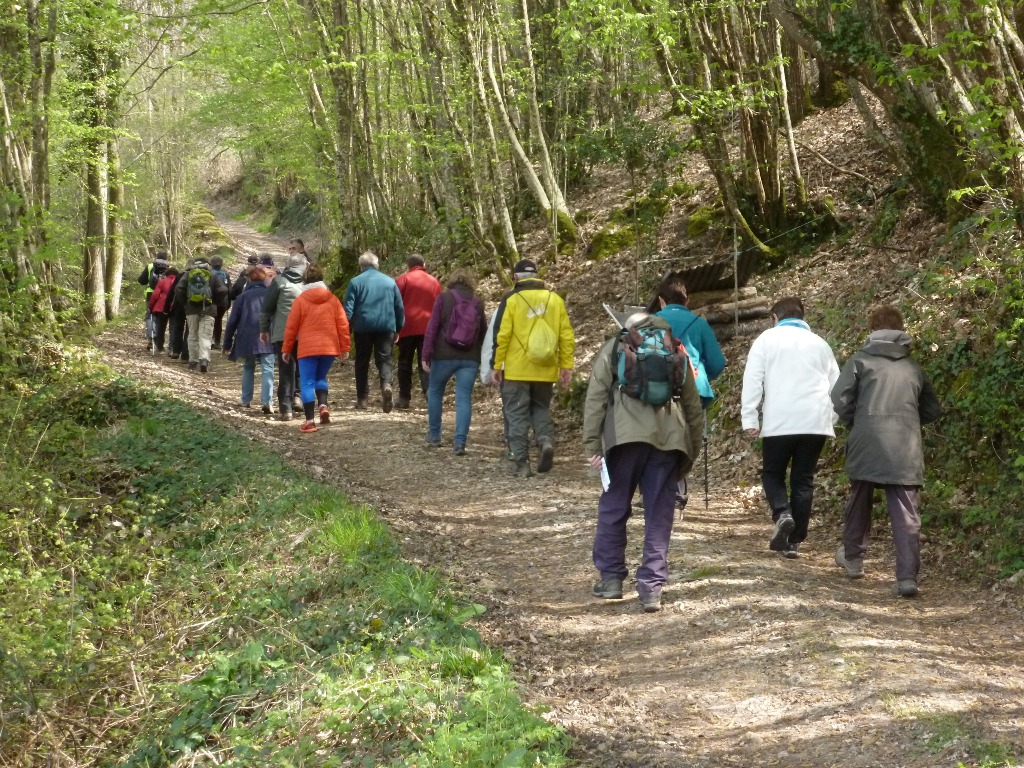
[646, 409]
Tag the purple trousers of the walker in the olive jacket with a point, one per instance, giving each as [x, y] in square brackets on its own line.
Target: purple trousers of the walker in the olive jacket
[656, 474]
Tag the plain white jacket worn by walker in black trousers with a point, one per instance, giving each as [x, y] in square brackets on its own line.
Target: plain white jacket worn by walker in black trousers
[789, 376]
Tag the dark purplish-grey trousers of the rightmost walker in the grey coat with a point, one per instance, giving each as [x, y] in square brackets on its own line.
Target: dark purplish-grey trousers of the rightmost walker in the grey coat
[903, 502]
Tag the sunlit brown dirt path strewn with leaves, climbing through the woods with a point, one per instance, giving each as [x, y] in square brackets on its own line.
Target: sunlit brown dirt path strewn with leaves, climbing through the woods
[756, 661]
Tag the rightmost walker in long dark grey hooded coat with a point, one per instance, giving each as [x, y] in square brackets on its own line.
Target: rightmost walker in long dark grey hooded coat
[884, 398]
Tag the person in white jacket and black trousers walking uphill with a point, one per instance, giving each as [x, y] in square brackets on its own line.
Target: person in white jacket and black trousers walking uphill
[789, 377]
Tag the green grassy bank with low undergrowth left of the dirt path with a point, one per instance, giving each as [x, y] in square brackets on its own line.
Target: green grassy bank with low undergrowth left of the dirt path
[174, 594]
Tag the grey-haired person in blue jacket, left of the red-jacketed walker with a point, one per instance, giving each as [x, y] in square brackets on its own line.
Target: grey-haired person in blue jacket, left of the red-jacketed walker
[376, 315]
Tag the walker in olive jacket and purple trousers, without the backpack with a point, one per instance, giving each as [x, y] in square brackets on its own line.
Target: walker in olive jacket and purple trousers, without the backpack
[650, 447]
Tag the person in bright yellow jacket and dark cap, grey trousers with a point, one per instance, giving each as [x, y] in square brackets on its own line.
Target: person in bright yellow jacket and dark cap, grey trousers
[534, 349]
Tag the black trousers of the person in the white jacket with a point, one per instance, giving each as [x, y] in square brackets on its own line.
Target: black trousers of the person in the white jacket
[778, 454]
